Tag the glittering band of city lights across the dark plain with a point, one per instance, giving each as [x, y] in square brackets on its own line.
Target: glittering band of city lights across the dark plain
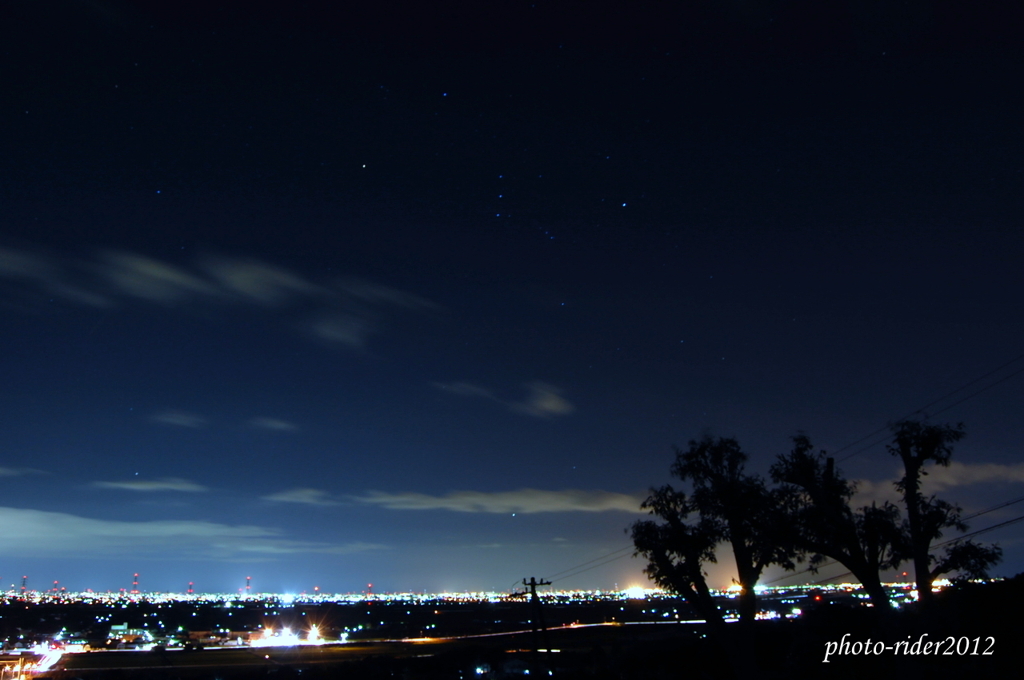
[140, 622]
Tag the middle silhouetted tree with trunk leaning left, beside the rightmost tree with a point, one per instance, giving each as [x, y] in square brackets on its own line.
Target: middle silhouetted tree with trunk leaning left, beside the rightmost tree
[867, 541]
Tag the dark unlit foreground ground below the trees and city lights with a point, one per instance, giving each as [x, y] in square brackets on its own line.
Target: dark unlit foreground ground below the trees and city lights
[966, 624]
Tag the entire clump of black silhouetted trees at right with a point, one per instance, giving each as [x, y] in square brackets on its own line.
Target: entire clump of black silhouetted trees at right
[808, 515]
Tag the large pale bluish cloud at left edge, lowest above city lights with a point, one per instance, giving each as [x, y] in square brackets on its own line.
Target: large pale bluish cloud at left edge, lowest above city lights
[39, 534]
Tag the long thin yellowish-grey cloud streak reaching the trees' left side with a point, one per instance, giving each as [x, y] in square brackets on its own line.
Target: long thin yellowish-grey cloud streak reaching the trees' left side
[523, 501]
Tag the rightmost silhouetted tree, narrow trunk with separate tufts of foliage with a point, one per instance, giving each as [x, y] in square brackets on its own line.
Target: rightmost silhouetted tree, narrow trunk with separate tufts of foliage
[918, 444]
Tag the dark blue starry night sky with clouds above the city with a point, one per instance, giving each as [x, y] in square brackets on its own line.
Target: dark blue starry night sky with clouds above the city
[423, 295]
